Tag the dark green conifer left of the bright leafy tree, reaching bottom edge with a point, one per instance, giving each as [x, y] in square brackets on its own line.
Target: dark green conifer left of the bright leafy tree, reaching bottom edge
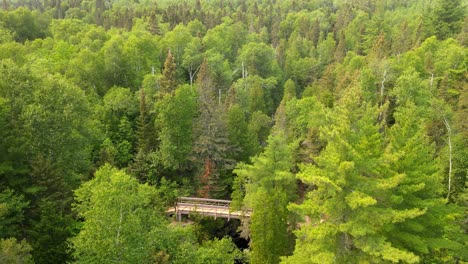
[49, 216]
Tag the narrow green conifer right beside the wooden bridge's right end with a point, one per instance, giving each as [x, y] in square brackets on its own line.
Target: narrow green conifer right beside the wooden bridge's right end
[269, 186]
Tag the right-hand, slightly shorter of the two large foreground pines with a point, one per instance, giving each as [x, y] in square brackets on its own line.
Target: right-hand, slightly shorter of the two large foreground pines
[420, 188]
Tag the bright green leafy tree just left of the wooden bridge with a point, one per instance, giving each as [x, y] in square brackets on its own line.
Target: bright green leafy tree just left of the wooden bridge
[119, 215]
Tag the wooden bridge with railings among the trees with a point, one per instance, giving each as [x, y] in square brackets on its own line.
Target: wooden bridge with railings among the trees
[206, 207]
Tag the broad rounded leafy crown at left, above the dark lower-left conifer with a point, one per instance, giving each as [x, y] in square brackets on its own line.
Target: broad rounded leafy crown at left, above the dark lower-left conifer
[64, 131]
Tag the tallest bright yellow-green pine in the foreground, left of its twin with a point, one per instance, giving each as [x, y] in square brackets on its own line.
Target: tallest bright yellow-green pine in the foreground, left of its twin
[335, 210]
